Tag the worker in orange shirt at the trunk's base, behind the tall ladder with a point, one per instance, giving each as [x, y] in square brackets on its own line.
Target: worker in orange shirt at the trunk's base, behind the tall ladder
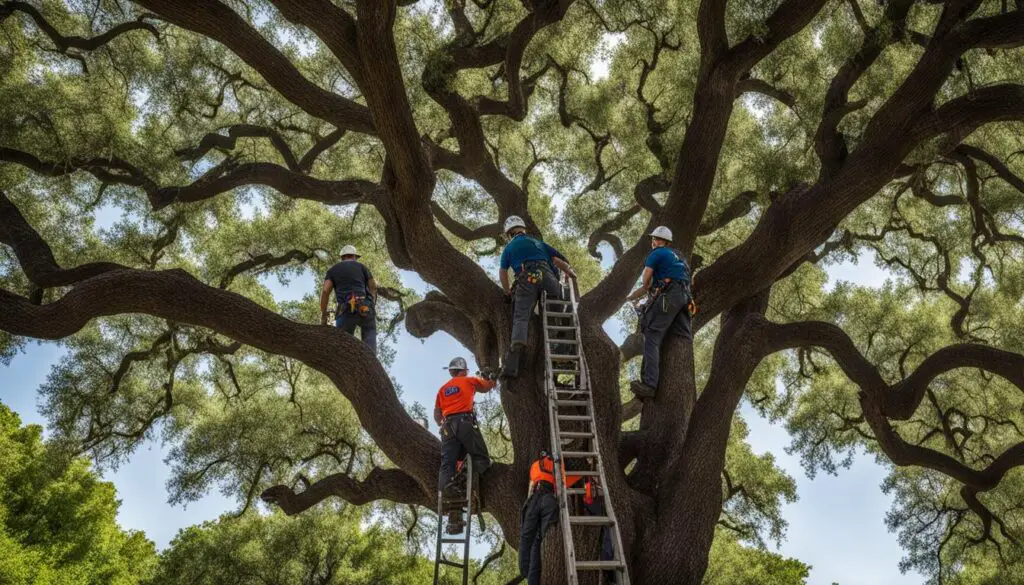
[539, 515]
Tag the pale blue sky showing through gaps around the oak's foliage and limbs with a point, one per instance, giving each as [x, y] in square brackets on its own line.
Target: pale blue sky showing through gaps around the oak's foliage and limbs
[837, 526]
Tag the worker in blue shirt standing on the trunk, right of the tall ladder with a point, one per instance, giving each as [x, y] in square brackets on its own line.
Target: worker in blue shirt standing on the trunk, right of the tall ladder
[666, 280]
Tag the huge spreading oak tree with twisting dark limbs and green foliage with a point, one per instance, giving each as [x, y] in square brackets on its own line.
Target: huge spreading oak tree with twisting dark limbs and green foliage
[246, 139]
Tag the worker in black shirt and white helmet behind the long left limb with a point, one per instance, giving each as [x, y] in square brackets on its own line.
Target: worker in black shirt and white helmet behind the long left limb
[356, 292]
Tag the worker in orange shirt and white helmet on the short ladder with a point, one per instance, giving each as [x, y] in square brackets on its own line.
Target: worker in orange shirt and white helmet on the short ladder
[460, 434]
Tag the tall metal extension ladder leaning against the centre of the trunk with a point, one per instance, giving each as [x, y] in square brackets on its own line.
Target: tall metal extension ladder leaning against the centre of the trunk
[571, 411]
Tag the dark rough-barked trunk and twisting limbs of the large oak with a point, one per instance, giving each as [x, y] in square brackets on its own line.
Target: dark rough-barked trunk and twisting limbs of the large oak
[672, 499]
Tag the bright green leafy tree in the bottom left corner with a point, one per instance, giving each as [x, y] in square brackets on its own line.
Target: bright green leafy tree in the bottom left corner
[59, 520]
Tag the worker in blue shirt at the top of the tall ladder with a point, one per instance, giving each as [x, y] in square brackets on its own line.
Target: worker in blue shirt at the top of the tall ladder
[536, 266]
